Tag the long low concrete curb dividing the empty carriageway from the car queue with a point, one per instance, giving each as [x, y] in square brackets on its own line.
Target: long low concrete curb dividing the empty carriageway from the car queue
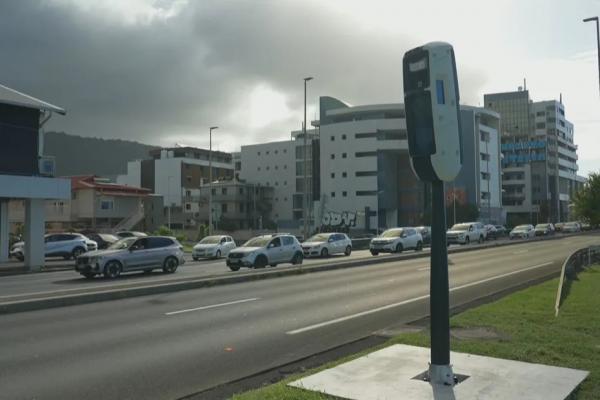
[196, 283]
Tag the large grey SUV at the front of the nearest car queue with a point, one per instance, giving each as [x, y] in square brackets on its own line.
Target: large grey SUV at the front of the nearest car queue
[132, 254]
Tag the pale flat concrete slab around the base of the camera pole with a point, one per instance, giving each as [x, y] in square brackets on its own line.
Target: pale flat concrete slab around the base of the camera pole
[387, 374]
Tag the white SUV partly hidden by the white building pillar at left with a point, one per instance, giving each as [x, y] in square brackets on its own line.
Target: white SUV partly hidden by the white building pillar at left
[66, 245]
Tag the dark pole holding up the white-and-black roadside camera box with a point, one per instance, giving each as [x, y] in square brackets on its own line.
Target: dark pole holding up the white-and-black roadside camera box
[440, 370]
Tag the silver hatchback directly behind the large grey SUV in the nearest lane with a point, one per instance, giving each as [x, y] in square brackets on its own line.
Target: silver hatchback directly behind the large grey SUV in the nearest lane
[264, 250]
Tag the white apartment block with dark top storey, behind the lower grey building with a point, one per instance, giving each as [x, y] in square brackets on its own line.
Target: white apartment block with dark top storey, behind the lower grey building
[177, 174]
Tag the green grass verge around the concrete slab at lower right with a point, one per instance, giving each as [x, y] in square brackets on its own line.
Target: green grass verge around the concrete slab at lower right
[527, 329]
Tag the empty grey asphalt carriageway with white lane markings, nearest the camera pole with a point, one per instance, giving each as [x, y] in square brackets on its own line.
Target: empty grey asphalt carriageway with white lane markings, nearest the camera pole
[170, 345]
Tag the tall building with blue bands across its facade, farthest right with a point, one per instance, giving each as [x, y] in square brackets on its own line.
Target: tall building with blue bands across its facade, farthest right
[539, 158]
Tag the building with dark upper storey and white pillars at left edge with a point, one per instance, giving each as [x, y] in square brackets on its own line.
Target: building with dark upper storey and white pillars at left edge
[25, 173]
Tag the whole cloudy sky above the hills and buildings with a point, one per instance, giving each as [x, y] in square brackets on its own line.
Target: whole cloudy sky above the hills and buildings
[161, 72]
